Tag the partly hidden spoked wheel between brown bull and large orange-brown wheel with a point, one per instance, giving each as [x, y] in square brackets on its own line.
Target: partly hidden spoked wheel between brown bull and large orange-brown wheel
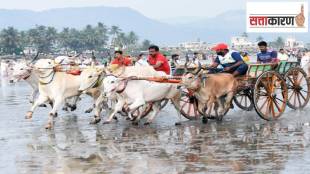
[243, 99]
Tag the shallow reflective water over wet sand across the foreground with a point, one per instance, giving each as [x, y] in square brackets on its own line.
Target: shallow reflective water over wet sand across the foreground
[242, 143]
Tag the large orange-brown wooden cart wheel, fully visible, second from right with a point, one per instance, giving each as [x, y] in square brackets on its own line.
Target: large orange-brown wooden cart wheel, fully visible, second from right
[270, 95]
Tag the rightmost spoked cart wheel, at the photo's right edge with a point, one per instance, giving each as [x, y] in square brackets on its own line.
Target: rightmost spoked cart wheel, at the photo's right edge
[298, 88]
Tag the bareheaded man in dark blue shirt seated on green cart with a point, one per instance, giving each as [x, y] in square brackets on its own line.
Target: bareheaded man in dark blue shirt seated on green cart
[266, 56]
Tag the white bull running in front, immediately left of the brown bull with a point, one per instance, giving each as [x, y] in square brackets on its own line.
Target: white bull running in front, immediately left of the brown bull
[137, 93]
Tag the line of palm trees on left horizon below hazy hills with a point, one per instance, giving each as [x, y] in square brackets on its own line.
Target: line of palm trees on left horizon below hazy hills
[46, 39]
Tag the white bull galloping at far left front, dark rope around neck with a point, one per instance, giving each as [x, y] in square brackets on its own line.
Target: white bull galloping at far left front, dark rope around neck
[54, 87]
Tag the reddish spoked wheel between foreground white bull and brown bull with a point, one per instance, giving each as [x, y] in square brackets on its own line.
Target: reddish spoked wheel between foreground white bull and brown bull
[189, 105]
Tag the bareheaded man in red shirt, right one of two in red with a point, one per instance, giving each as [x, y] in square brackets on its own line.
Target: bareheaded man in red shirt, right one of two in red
[157, 60]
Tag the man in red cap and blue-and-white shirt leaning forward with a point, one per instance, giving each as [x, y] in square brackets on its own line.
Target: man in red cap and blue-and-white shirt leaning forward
[231, 61]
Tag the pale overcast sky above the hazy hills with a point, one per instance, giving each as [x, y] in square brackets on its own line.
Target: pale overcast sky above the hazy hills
[157, 9]
